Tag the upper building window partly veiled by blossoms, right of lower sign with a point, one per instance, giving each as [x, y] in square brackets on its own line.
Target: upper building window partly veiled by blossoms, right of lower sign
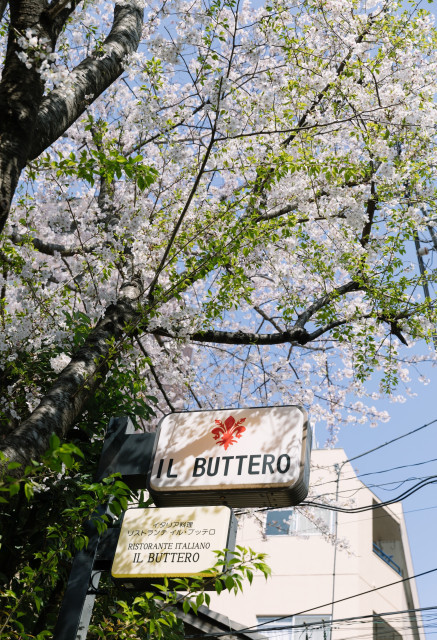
[286, 522]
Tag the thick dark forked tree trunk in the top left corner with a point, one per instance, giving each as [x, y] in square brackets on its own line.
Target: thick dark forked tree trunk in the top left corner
[30, 122]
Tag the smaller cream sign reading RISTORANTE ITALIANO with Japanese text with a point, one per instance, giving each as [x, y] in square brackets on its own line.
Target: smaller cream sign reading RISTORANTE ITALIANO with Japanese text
[172, 542]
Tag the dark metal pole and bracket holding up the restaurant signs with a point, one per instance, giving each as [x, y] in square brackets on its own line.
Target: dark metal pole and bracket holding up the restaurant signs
[129, 454]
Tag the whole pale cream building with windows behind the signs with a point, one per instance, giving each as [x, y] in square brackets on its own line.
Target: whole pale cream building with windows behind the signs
[316, 583]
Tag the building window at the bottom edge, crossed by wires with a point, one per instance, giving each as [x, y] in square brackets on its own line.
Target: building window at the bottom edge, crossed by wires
[296, 627]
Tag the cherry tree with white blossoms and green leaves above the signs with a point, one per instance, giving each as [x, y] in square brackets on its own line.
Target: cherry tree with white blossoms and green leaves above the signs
[209, 204]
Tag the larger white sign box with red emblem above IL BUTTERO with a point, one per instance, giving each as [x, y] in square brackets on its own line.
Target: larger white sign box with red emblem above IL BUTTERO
[239, 457]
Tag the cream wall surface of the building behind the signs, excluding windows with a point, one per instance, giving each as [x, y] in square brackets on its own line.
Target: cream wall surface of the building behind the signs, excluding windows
[309, 571]
